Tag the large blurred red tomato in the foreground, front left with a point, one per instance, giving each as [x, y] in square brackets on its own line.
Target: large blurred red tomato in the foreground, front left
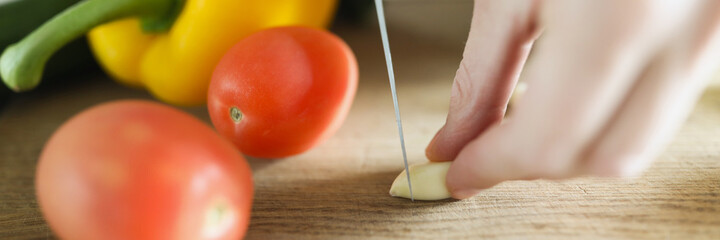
[140, 170]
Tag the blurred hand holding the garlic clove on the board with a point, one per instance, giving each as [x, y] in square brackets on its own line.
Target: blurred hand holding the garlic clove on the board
[609, 83]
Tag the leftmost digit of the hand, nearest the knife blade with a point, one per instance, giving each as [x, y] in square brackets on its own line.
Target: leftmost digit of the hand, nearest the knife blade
[500, 38]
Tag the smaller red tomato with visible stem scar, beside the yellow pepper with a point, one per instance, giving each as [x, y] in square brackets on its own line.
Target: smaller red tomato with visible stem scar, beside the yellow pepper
[281, 91]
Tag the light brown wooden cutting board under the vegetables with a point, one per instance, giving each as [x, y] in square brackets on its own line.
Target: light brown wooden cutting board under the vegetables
[339, 190]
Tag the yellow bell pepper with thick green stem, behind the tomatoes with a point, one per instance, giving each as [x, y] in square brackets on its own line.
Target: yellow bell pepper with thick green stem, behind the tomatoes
[167, 46]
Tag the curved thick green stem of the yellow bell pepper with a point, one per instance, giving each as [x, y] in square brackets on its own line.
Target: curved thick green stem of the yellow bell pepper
[21, 64]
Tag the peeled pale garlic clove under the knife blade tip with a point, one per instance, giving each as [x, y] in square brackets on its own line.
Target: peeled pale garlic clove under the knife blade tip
[428, 180]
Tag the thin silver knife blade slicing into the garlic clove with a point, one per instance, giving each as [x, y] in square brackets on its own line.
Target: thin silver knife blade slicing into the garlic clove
[391, 77]
